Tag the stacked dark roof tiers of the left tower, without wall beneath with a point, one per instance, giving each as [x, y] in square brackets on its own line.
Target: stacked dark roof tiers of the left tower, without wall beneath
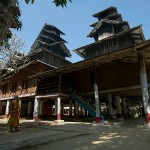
[49, 38]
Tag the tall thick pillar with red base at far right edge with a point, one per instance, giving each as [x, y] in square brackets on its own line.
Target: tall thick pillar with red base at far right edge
[144, 87]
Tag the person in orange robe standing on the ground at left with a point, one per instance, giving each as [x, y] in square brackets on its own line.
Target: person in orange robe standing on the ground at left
[14, 113]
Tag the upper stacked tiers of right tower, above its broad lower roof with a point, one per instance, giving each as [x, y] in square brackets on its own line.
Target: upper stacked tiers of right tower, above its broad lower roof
[109, 23]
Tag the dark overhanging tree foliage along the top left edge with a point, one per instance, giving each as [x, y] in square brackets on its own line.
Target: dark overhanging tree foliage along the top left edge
[10, 14]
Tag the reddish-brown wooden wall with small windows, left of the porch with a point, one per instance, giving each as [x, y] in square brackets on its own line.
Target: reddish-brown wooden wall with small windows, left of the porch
[21, 76]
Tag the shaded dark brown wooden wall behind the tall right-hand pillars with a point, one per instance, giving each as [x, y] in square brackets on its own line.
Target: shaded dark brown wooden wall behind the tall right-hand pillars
[111, 76]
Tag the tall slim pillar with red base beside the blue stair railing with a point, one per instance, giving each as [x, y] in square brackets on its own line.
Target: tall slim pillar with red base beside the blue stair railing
[96, 96]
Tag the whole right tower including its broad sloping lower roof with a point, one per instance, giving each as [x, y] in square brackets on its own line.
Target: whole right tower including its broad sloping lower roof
[111, 34]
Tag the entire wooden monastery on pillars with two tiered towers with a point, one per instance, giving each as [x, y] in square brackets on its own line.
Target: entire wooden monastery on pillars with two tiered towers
[113, 76]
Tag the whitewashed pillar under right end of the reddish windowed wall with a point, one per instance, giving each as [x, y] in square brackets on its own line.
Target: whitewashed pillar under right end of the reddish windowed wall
[36, 108]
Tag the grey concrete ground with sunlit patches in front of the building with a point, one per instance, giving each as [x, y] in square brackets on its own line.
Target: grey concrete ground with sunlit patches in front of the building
[45, 135]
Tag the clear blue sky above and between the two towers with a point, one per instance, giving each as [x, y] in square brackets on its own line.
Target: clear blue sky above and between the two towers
[76, 18]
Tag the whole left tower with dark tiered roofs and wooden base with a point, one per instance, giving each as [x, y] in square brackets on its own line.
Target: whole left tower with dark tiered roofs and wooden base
[49, 47]
